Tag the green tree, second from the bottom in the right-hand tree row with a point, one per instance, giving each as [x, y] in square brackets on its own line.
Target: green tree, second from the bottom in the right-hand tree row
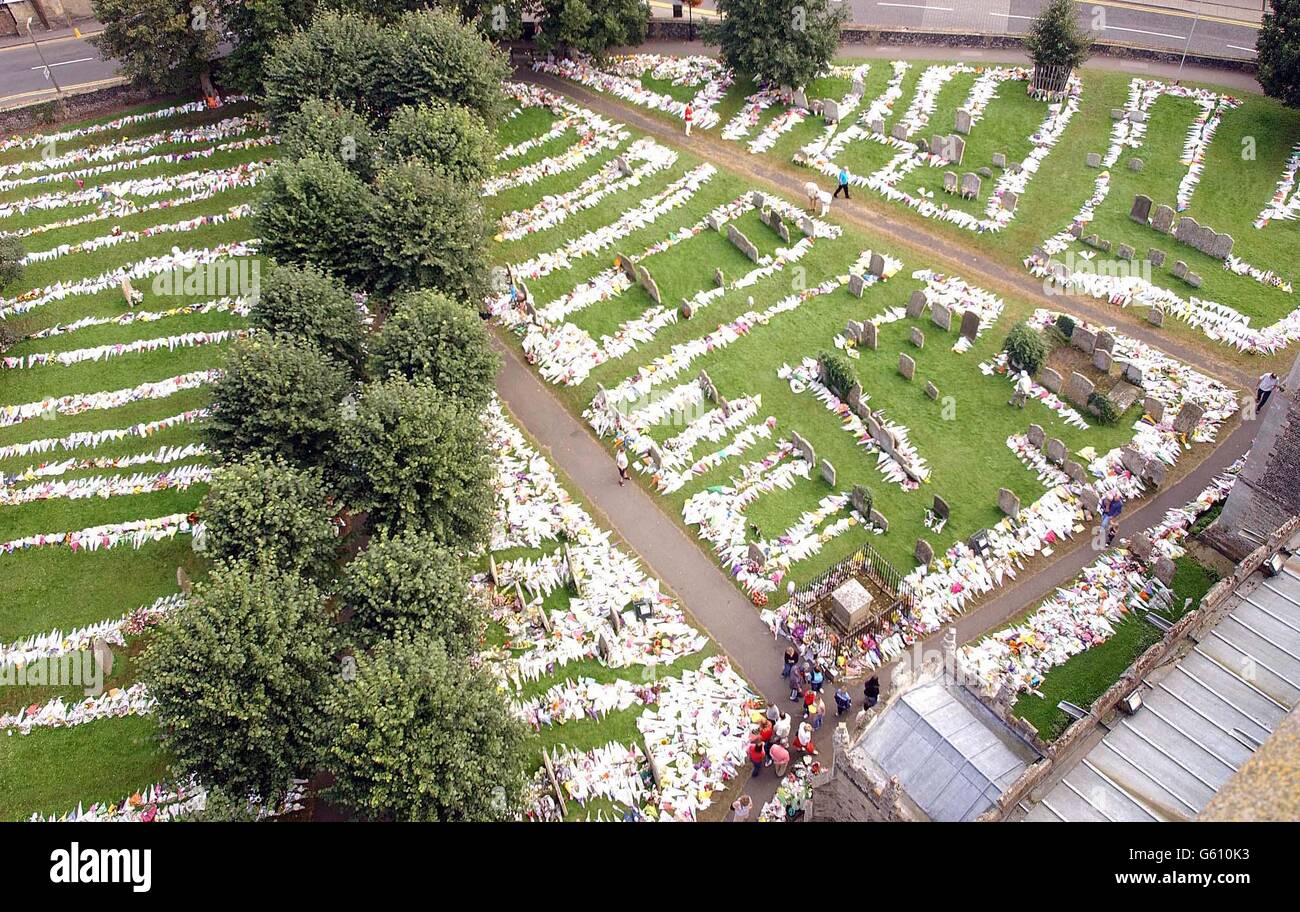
[408, 584]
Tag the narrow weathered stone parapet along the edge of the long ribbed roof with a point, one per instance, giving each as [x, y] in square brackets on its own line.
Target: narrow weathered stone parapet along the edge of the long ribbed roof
[1191, 626]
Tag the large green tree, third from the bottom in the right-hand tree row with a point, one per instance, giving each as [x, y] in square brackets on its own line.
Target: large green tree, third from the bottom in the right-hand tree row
[418, 461]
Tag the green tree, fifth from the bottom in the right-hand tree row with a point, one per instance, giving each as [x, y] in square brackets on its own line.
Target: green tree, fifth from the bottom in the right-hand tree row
[427, 232]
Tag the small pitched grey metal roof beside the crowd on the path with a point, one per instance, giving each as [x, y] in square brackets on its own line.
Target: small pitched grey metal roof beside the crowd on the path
[952, 757]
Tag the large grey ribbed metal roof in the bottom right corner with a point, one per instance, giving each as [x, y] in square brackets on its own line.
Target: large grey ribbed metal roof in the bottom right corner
[1201, 722]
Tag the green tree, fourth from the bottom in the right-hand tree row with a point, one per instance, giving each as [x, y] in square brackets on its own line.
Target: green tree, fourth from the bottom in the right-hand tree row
[432, 338]
